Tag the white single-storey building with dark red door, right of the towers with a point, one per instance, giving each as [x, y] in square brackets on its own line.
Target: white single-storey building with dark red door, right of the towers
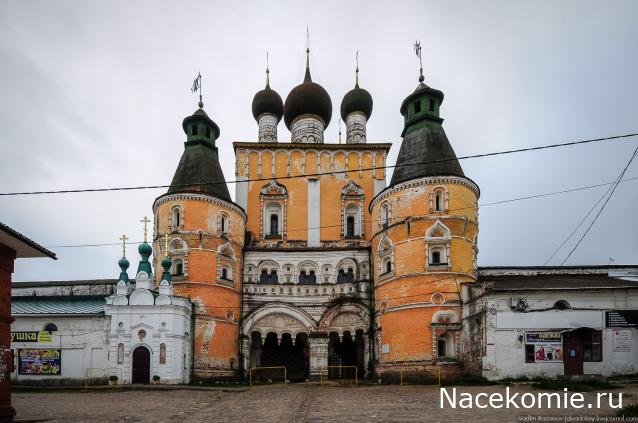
[551, 321]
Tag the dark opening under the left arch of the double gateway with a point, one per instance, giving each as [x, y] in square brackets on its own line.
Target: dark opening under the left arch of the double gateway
[293, 355]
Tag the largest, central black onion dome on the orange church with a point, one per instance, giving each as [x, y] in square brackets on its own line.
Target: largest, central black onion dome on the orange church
[307, 97]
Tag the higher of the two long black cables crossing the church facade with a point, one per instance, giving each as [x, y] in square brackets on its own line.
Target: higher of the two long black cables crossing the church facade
[319, 174]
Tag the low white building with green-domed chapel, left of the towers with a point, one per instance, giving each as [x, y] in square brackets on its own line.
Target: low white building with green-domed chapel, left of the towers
[71, 332]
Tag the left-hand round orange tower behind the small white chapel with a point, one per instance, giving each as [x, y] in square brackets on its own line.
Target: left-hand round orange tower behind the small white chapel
[204, 231]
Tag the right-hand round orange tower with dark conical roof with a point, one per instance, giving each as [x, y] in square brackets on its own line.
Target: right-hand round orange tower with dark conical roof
[424, 247]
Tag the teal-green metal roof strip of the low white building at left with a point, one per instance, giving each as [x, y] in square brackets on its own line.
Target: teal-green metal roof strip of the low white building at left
[69, 304]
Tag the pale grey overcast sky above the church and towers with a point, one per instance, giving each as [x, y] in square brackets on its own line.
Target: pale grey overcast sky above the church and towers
[93, 95]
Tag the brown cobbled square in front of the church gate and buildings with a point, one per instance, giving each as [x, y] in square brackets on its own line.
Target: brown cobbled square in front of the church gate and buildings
[274, 404]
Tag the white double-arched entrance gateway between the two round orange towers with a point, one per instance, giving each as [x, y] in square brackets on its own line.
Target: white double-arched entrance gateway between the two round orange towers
[283, 335]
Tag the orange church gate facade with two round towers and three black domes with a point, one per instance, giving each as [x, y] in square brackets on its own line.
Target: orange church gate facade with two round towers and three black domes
[317, 262]
